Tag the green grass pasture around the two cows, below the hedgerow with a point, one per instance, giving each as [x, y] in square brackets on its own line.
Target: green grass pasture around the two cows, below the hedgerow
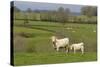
[32, 44]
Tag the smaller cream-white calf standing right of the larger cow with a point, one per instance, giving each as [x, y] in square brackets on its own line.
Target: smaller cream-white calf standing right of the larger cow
[78, 46]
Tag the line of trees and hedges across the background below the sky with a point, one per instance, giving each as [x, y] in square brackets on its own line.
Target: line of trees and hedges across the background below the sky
[88, 14]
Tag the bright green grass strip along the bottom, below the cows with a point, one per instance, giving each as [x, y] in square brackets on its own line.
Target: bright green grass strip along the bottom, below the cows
[52, 58]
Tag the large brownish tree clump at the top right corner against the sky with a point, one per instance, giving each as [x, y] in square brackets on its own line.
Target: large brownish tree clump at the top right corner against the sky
[89, 11]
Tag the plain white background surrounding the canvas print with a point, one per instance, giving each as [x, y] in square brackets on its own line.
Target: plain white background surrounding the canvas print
[5, 32]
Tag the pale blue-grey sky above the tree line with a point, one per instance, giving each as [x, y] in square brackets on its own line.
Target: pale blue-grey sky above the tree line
[46, 6]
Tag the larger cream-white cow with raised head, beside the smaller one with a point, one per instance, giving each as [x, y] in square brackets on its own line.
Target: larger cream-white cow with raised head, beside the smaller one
[57, 43]
